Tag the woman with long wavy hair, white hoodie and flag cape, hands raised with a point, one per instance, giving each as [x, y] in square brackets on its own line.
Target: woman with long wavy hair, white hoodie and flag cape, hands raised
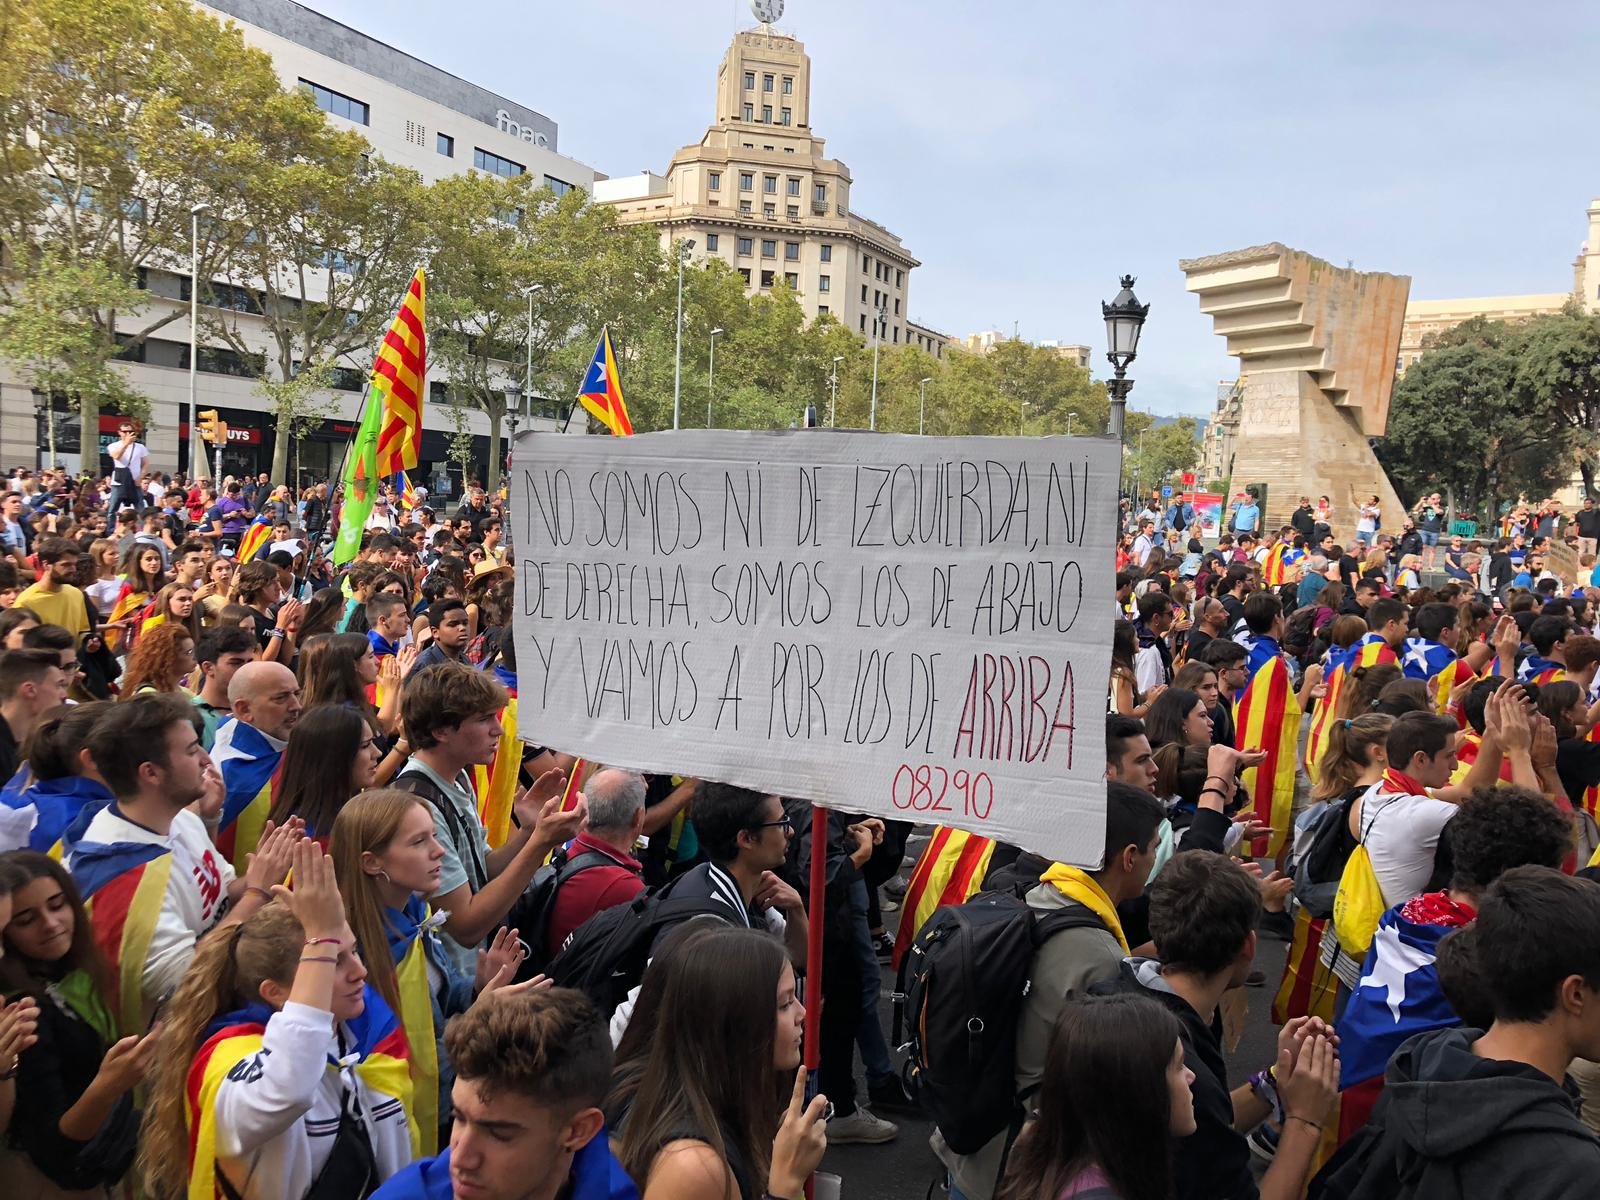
[282, 1073]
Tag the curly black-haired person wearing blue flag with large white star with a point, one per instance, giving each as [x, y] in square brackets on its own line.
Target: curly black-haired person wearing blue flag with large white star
[1399, 994]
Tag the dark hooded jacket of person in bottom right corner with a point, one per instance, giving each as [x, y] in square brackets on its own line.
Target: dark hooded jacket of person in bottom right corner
[1452, 1126]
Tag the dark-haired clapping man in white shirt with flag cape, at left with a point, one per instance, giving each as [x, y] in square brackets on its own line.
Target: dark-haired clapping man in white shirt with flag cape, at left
[154, 881]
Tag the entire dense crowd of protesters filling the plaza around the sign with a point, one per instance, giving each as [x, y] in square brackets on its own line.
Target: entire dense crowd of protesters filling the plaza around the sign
[290, 906]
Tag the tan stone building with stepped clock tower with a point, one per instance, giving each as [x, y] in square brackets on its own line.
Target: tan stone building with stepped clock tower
[761, 193]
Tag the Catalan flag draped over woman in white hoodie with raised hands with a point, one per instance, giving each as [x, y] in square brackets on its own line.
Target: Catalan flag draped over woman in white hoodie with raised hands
[383, 1065]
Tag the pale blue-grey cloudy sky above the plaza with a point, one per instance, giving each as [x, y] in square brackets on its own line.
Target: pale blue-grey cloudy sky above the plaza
[1030, 153]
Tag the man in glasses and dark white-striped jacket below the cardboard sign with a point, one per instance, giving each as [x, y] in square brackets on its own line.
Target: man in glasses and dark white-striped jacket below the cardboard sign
[746, 839]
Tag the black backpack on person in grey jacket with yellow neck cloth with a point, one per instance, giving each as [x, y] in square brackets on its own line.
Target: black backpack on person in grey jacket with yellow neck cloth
[962, 985]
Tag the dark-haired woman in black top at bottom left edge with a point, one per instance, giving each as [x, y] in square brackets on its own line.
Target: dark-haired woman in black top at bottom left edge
[76, 1126]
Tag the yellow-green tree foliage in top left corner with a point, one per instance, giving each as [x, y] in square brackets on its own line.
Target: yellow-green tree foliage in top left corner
[116, 119]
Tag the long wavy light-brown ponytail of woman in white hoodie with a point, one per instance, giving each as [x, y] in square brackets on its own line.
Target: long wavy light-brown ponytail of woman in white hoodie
[226, 974]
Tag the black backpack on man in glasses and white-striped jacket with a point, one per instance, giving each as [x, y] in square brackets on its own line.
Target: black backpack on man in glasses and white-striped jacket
[606, 956]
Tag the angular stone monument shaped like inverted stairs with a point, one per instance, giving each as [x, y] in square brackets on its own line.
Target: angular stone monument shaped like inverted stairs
[1316, 350]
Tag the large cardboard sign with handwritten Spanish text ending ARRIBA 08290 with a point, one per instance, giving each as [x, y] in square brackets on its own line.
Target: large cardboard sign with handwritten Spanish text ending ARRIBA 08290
[903, 626]
